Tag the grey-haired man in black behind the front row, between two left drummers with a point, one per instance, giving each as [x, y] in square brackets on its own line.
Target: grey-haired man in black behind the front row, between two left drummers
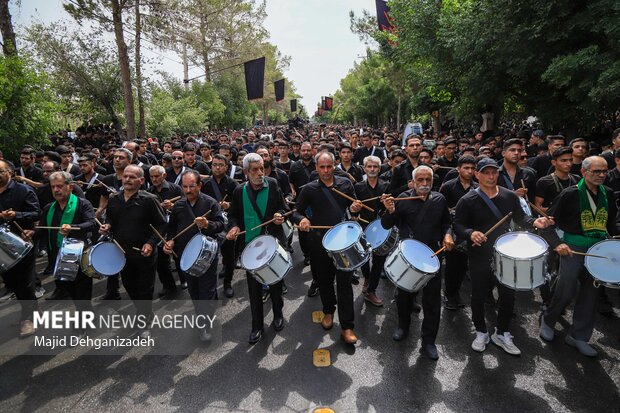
[165, 192]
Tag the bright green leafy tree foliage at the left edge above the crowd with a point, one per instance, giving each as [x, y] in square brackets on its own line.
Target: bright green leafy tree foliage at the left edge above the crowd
[27, 108]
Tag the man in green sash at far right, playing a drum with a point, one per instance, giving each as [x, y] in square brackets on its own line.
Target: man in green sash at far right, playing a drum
[586, 213]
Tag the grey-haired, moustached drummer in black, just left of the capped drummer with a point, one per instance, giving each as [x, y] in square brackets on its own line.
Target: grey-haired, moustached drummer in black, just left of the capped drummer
[426, 220]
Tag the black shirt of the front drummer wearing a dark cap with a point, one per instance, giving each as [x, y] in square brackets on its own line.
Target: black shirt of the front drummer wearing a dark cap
[473, 214]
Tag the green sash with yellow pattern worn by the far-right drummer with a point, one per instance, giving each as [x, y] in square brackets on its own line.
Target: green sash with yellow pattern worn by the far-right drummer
[593, 224]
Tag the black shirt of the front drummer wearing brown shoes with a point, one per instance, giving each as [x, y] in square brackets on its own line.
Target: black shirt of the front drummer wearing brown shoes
[326, 207]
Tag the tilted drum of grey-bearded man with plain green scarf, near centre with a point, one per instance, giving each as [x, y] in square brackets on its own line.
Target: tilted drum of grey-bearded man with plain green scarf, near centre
[266, 260]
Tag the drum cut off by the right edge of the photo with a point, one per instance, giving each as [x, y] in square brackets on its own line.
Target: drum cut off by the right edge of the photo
[606, 272]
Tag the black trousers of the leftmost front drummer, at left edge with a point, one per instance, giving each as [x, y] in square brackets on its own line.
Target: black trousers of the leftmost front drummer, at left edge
[21, 280]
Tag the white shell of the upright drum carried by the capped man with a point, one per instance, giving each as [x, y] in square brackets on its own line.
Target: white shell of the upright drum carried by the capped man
[520, 274]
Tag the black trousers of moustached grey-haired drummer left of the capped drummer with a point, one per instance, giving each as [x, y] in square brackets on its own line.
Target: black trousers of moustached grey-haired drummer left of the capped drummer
[431, 305]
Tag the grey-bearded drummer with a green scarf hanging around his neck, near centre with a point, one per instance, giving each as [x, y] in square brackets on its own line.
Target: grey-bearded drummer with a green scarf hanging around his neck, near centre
[258, 200]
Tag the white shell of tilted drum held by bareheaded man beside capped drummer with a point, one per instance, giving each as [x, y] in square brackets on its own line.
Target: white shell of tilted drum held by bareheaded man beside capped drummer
[403, 273]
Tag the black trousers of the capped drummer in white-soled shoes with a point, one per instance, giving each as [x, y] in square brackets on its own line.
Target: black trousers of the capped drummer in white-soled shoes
[482, 281]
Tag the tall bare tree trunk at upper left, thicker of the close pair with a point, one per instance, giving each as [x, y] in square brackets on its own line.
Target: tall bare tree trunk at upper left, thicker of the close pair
[123, 62]
